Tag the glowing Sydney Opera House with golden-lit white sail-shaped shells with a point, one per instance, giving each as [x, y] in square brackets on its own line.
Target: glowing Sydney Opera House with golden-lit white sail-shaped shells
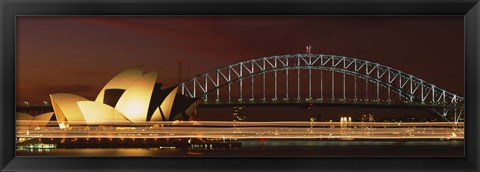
[129, 98]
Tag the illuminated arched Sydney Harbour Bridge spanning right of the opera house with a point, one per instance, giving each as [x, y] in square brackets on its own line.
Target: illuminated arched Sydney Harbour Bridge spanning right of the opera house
[319, 79]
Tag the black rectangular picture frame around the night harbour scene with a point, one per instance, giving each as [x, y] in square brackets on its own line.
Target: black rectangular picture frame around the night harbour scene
[11, 8]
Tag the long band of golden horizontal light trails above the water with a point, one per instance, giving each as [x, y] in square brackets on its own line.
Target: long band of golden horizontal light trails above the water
[255, 130]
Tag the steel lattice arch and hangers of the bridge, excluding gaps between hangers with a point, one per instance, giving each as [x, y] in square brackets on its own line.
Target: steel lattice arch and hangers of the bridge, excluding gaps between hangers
[410, 90]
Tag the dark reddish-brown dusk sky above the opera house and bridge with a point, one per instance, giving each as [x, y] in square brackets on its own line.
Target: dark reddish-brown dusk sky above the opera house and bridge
[80, 54]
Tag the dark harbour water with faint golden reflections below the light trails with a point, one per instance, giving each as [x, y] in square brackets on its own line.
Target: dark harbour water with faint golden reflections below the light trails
[279, 148]
